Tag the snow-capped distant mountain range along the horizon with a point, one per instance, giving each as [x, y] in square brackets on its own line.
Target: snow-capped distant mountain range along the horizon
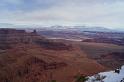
[58, 28]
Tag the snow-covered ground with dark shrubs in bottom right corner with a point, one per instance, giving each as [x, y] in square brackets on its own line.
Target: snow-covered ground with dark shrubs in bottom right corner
[110, 76]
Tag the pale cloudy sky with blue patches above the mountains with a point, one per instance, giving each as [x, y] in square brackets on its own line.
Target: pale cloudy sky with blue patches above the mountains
[107, 13]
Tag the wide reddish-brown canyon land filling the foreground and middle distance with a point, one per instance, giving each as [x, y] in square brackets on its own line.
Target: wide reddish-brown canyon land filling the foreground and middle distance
[28, 56]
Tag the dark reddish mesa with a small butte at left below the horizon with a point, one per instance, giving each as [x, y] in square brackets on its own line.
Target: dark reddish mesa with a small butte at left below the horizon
[10, 37]
